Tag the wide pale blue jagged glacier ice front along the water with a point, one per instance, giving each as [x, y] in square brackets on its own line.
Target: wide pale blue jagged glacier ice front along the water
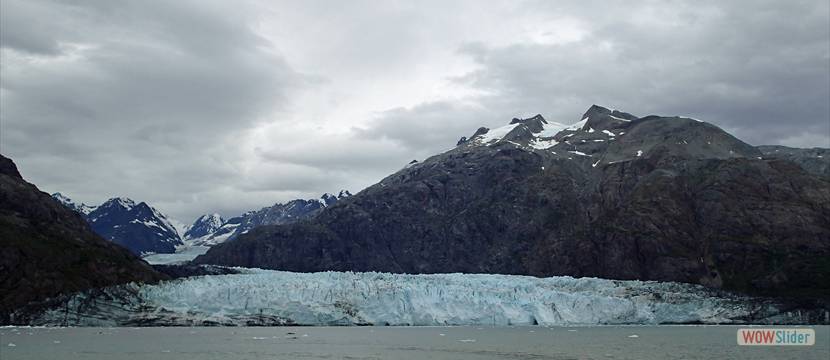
[265, 297]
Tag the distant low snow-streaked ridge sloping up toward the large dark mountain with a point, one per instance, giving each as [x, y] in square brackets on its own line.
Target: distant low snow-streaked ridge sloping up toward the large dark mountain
[278, 214]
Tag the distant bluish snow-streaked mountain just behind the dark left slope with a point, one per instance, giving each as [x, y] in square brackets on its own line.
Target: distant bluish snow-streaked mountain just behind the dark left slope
[138, 227]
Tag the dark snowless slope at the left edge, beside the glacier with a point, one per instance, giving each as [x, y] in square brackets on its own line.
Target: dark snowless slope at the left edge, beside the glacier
[47, 249]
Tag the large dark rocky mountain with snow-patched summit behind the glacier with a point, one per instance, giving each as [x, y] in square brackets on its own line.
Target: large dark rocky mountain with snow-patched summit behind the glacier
[613, 196]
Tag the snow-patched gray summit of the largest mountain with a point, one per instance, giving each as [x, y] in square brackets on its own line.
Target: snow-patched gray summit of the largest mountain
[605, 136]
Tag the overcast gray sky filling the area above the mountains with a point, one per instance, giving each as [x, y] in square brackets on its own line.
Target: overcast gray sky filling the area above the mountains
[203, 106]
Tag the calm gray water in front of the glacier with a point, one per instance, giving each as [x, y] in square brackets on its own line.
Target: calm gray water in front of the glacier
[611, 342]
